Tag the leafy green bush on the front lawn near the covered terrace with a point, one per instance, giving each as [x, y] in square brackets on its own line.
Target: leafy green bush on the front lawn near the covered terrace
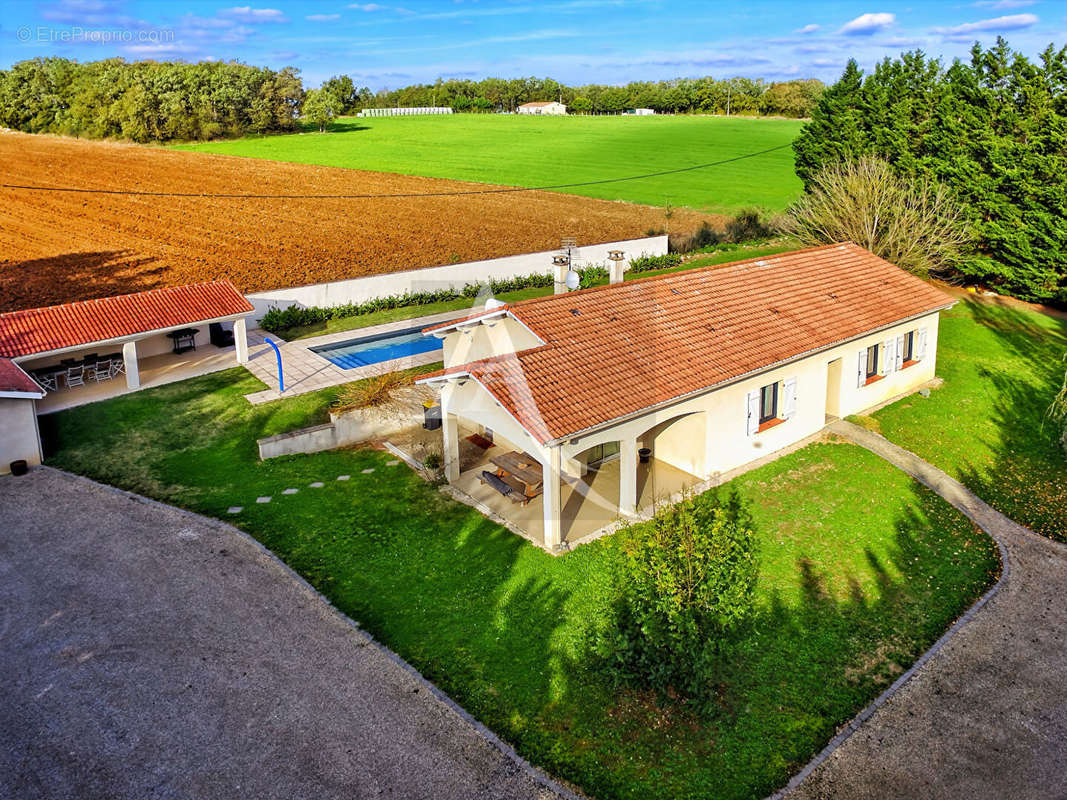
[686, 587]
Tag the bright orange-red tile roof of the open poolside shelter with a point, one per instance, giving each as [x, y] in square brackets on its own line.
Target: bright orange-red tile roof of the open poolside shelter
[60, 327]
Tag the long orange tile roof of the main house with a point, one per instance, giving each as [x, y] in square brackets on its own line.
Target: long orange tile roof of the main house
[616, 350]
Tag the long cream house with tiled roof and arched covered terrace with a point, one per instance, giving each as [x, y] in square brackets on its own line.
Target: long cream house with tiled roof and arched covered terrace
[623, 395]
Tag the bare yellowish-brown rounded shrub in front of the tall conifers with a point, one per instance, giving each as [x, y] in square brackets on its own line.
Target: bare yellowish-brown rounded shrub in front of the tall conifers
[912, 222]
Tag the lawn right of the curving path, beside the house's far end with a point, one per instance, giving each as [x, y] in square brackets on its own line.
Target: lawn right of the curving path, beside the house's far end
[1002, 365]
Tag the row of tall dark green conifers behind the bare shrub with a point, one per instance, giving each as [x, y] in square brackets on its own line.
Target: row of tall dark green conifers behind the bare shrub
[991, 131]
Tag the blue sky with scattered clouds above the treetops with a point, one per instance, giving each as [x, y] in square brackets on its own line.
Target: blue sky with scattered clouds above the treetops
[395, 43]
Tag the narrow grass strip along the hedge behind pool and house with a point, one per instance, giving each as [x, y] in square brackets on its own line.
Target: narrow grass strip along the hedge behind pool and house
[392, 315]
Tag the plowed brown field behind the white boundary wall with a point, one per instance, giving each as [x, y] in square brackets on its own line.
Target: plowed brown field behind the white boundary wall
[59, 247]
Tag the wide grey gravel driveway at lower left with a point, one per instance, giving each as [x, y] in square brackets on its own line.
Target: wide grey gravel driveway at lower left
[151, 653]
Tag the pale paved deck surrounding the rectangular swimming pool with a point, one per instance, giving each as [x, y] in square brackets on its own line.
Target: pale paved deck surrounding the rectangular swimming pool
[309, 372]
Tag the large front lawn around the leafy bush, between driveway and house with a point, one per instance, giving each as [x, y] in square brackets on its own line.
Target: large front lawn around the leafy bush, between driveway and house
[862, 571]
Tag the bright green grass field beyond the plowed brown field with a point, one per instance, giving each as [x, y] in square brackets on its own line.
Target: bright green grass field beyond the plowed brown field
[536, 151]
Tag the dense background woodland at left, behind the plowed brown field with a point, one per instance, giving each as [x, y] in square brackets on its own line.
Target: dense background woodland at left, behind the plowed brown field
[148, 101]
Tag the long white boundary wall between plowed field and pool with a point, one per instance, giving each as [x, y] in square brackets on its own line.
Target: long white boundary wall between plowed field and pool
[451, 277]
